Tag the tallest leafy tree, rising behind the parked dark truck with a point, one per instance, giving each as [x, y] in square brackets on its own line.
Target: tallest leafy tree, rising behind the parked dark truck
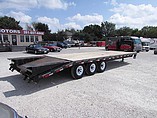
[108, 29]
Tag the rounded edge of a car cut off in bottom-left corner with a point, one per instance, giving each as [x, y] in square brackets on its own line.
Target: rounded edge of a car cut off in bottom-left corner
[8, 112]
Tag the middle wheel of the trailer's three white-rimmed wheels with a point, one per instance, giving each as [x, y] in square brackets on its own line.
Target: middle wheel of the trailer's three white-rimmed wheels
[91, 68]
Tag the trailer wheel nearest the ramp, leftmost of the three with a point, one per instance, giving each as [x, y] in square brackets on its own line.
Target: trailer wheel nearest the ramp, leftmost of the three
[77, 71]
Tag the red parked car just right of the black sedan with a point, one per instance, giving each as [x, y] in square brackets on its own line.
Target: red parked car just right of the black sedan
[52, 47]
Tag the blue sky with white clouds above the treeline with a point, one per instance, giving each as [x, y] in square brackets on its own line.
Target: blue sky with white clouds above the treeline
[68, 14]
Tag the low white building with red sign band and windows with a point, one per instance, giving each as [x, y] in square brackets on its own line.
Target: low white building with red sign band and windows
[20, 37]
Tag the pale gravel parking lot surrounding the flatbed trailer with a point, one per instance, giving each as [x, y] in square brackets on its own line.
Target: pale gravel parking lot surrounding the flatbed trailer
[125, 89]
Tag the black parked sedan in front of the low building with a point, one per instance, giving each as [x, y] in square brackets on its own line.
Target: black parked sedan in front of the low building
[36, 48]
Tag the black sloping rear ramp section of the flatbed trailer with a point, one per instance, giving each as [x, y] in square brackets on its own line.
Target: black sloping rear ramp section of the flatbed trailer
[33, 67]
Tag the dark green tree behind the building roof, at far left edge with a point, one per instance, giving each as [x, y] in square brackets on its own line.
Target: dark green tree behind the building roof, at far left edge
[9, 23]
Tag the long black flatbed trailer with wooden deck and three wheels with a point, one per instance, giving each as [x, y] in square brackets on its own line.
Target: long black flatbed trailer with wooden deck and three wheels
[37, 67]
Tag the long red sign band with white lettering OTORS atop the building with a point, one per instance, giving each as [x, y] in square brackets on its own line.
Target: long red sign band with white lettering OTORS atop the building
[25, 32]
